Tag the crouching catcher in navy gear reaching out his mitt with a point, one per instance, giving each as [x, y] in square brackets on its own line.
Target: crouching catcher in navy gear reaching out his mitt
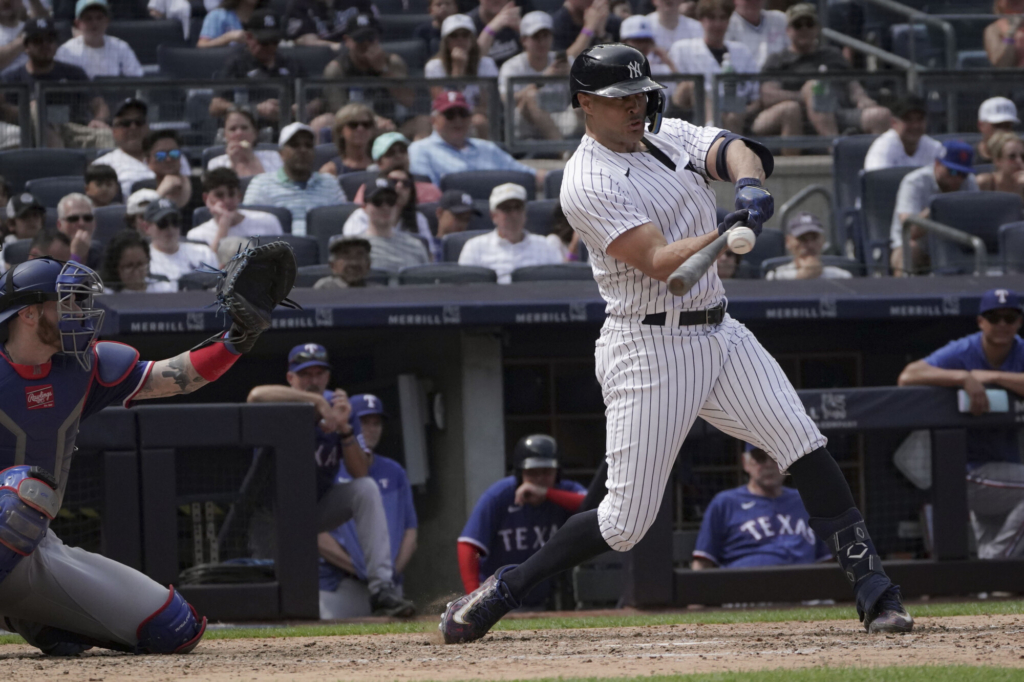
[55, 374]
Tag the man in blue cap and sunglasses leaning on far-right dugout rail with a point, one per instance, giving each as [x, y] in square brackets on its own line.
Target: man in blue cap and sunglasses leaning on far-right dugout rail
[994, 357]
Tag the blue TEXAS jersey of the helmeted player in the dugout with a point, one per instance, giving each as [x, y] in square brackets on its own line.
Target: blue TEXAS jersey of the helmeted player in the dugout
[506, 533]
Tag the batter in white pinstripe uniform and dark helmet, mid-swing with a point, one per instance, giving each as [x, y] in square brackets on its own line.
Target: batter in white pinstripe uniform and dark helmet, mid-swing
[642, 202]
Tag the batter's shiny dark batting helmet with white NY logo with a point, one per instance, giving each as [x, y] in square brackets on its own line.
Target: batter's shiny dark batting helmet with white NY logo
[617, 71]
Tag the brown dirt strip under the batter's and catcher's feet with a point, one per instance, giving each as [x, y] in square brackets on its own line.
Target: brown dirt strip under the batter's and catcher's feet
[610, 653]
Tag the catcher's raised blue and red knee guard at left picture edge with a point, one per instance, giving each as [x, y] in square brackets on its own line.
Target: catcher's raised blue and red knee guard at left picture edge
[29, 502]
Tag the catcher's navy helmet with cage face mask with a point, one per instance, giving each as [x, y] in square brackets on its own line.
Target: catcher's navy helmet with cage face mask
[72, 286]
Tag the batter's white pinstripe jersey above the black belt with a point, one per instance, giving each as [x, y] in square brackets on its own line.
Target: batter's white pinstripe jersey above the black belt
[606, 194]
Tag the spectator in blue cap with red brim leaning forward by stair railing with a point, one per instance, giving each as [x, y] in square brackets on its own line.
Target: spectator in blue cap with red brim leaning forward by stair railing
[953, 172]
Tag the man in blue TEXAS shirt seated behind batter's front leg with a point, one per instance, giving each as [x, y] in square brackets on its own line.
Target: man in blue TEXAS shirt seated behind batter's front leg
[761, 524]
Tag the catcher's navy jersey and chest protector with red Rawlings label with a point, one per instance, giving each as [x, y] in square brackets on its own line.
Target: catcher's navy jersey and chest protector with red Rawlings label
[41, 406]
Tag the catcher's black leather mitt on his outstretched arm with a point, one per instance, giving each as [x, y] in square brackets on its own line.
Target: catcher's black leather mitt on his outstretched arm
[257, 281]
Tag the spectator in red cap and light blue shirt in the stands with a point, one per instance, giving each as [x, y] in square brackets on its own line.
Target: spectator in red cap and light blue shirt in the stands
[451, 150]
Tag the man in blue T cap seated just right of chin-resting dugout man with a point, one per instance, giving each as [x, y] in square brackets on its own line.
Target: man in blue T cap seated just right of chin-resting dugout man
[344, 589]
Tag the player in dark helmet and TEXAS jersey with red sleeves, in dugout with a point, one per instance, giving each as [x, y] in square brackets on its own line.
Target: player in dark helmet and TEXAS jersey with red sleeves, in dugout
[518, 516]
